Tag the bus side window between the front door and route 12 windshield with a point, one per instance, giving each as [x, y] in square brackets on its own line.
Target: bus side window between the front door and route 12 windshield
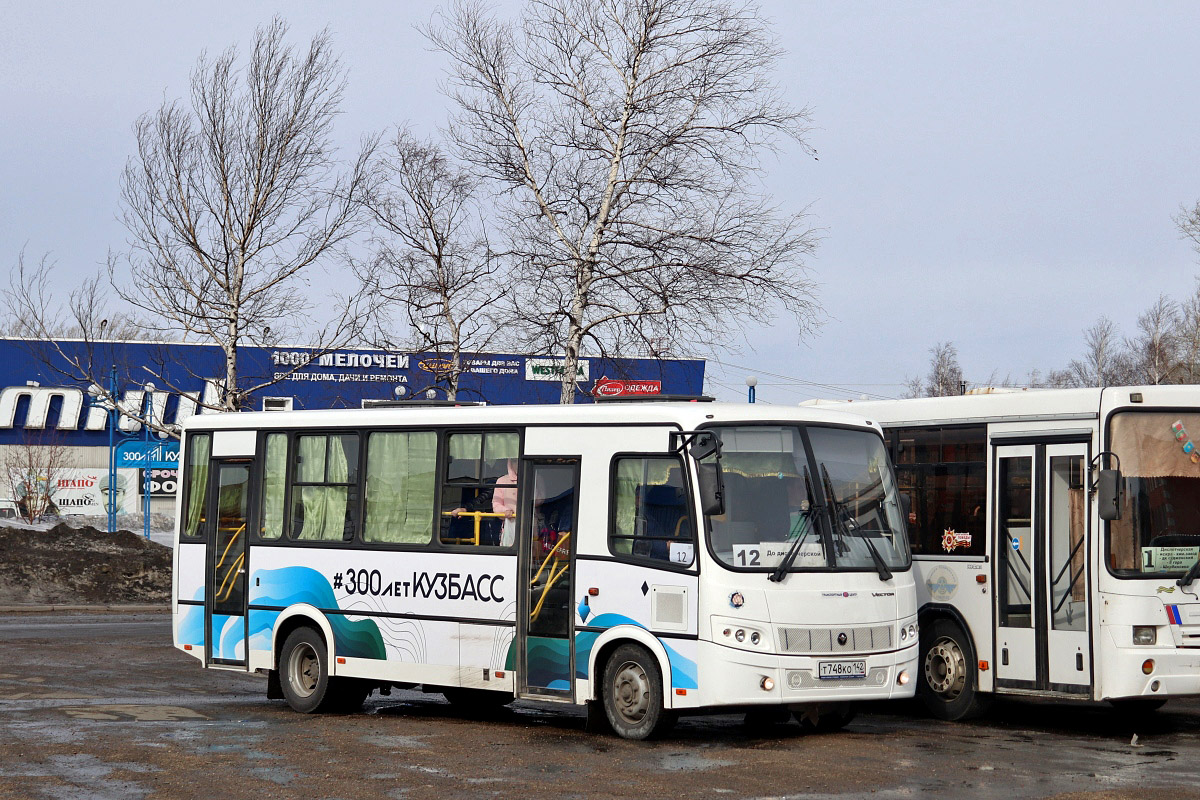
[650, 510]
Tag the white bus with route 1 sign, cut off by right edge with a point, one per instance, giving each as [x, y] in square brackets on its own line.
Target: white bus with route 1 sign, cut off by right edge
[1055, 536]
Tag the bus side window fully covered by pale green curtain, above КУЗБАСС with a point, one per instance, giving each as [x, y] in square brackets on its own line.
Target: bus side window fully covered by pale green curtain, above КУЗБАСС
[401, 484]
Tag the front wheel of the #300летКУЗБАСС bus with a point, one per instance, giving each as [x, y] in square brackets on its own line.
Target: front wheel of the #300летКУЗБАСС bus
[633, 694]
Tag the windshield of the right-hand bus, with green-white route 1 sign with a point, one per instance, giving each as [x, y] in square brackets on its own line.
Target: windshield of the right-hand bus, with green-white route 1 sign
[1159, 533]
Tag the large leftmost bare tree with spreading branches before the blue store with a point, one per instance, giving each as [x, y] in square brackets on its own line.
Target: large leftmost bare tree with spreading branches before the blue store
[231, 201]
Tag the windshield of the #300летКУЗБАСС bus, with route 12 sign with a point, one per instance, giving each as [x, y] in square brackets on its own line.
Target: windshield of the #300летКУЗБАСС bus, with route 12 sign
[838, 504]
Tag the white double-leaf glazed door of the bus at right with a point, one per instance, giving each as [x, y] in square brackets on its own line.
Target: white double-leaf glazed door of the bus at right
[1042, 609]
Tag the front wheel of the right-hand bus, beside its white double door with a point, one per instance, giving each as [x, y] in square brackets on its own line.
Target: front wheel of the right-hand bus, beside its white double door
[949, 678]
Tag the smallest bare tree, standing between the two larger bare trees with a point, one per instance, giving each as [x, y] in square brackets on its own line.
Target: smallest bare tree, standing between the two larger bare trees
[433, 260]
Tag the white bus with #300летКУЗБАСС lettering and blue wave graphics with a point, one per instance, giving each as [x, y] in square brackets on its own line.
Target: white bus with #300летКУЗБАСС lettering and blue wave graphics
[643, 558]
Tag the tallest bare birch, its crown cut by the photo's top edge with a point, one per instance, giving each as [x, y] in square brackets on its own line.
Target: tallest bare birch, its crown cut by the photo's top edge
[625, 139]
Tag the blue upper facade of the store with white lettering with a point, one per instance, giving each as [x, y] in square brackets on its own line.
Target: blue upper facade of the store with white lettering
[37, 396]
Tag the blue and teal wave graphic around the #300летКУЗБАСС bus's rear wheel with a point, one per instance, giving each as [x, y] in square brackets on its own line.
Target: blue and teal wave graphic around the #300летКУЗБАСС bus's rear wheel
[301, 585]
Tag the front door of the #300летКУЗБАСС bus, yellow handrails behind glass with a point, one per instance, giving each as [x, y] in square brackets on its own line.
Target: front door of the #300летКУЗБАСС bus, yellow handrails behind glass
[547, 543]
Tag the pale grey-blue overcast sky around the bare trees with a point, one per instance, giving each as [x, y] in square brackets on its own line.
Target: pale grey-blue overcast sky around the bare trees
[997, 176]
